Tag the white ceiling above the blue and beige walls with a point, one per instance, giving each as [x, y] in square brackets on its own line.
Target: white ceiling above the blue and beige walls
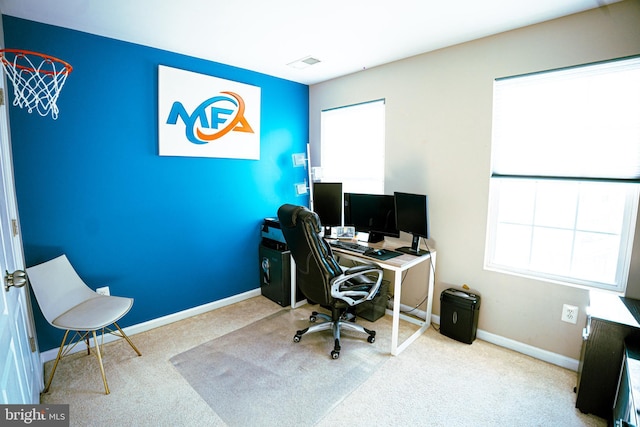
[265, 35]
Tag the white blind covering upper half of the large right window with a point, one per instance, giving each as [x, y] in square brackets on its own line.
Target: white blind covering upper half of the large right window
[579, 122]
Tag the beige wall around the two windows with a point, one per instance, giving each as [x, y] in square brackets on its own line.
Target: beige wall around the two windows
[438, 135]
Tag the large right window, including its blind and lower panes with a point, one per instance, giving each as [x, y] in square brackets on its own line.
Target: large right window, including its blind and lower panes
[565, 169]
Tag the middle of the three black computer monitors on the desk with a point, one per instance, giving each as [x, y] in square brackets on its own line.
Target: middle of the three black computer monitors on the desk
[371, 213]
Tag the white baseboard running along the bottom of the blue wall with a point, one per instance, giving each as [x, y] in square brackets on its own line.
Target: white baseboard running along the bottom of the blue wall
[48, 355]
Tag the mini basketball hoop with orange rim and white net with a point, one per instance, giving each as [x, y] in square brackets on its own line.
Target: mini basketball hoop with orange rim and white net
[37, 79]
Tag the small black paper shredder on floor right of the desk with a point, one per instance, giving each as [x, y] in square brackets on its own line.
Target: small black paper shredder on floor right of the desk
[459, 312]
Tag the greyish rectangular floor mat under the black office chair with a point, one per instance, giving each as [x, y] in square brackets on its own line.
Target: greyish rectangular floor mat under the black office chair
[246, 385]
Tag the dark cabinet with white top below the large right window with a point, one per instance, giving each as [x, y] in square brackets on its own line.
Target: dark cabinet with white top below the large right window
[611, 321]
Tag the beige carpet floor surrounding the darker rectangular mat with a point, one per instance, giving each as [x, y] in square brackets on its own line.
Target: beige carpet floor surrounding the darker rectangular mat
[435, 382]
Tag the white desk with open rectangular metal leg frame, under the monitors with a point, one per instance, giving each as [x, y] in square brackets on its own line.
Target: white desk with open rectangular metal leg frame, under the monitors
[397, 265]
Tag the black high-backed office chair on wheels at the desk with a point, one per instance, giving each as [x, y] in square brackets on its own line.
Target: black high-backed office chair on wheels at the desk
[322, 280]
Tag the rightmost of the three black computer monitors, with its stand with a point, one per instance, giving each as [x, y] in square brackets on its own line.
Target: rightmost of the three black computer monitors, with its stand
[412, 216]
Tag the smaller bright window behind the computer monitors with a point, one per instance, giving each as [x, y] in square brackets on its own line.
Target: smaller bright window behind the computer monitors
[352, 147]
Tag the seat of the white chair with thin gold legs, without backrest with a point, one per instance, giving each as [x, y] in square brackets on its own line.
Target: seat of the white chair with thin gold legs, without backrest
[93, 314]
